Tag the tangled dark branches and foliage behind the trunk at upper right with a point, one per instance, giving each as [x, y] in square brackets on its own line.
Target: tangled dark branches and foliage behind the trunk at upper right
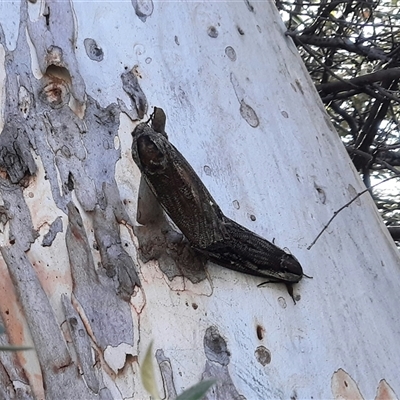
[352, 52]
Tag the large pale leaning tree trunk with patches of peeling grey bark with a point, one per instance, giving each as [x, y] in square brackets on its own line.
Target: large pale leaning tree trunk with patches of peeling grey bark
[89, 287]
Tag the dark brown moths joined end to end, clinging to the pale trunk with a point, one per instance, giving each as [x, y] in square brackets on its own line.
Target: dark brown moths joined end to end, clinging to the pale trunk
[194, 211]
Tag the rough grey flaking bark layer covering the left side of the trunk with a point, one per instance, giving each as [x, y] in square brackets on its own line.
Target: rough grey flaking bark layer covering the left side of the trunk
[53, 119]
